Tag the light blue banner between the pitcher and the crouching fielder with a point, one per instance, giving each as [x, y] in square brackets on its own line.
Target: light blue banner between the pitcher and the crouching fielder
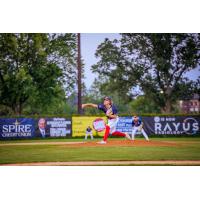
[124, 125]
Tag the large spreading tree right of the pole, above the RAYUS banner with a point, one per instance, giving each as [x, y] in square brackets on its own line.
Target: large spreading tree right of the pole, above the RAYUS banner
[154, 62]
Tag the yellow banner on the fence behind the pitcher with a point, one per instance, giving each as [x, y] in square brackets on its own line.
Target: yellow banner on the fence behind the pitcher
[80, 124]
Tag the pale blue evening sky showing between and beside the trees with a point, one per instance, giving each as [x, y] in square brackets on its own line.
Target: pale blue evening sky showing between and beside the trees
[89, 44]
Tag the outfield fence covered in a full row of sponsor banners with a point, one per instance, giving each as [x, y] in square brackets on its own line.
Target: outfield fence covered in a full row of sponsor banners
[75, 126]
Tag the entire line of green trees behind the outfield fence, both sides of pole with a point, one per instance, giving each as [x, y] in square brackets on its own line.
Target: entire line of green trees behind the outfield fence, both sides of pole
[141, 72]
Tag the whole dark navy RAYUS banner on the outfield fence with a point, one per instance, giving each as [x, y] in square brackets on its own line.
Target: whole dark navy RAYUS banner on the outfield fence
[169, 125]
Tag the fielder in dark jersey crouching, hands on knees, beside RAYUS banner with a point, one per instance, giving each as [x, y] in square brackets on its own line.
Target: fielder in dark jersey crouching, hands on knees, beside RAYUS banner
[137, 126]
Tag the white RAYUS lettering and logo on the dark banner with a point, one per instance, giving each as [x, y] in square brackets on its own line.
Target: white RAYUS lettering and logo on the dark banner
[176, 125]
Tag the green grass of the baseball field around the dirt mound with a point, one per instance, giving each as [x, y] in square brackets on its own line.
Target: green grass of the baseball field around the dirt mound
[186, 149]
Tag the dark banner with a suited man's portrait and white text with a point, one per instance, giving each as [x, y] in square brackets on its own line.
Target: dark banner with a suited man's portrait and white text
[53, 127]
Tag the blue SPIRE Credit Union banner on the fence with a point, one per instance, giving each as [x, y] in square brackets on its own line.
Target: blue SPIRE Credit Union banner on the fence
[17, 128]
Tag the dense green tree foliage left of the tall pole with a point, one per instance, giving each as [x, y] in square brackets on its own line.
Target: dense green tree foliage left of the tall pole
[35, 70]
